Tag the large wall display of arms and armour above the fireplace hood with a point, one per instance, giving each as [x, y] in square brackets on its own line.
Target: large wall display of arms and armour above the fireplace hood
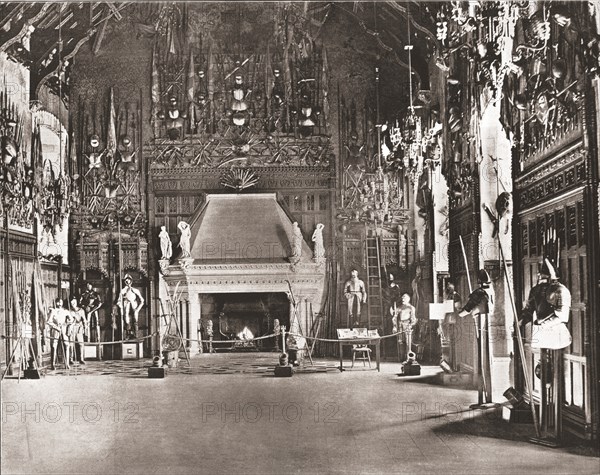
[215, 108]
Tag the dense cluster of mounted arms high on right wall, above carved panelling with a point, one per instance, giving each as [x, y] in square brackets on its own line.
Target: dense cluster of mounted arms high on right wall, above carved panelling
[543, 93]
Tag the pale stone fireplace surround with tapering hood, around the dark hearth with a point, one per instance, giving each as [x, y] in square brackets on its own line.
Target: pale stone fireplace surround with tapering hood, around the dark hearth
[239, 257]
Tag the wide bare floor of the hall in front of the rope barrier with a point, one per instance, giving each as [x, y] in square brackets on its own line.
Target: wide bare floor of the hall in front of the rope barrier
[228, 414]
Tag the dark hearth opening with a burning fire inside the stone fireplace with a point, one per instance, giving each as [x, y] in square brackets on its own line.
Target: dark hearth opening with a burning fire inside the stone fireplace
[239, 318]
